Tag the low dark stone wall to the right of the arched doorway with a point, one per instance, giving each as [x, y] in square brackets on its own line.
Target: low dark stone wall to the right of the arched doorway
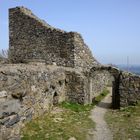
[129, 89]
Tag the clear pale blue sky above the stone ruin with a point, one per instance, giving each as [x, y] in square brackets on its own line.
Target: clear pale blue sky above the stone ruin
[111, 28]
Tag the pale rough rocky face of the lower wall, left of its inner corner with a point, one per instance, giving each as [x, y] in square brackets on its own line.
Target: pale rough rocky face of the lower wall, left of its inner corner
[29, 91]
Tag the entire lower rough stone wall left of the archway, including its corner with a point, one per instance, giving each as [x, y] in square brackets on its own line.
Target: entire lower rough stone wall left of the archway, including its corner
[29, 90]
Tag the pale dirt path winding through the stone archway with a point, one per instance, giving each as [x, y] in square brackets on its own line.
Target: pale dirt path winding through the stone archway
[102, 132]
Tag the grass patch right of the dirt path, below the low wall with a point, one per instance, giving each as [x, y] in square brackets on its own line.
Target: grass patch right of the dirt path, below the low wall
[125, 123]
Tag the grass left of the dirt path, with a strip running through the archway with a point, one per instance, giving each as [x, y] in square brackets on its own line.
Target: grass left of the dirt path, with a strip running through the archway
[72, 121]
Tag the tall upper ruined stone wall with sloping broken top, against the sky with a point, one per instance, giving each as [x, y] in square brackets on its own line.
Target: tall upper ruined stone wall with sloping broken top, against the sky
[33, 39]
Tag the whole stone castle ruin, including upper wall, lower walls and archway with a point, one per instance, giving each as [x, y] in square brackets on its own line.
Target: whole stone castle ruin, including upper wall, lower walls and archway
[48, 66]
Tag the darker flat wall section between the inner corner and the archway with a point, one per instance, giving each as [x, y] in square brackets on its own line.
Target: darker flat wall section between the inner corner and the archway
[77, 87]
